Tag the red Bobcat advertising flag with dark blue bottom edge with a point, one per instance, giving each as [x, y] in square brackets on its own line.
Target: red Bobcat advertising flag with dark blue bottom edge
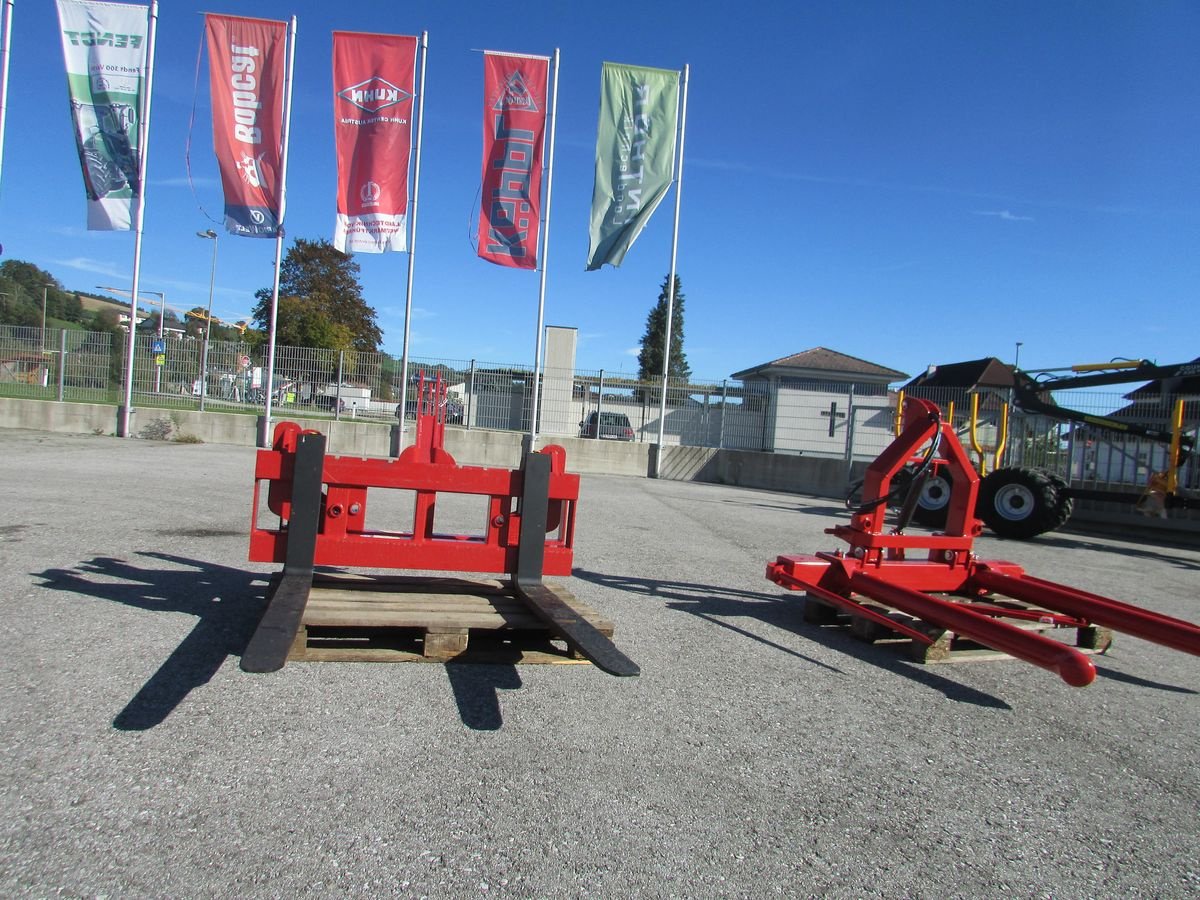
[247, 77]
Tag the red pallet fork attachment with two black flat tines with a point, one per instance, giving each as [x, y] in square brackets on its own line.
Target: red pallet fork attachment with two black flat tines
[322, 503]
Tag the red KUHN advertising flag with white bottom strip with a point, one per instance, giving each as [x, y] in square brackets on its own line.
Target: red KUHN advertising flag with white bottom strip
[374, 77]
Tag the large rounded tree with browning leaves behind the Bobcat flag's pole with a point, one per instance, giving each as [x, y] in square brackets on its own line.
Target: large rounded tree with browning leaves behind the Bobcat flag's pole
[321, 302]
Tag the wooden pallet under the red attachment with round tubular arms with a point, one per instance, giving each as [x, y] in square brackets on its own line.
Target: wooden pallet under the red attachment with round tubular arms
[947, 646]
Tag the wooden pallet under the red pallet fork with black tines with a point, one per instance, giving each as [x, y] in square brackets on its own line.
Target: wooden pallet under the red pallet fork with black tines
[401, 619]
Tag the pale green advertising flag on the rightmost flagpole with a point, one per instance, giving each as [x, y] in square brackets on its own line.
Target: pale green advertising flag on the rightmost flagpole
[635, 157]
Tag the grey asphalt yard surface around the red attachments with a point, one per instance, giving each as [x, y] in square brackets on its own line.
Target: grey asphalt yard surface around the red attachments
[757, 755]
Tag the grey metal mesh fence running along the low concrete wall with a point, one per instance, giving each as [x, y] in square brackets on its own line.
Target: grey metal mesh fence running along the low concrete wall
[847, 422]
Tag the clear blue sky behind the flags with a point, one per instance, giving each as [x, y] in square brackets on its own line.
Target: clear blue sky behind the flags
[905, 183]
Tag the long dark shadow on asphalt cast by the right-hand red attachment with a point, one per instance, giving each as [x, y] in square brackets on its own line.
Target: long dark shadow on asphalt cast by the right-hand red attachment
[718, 605]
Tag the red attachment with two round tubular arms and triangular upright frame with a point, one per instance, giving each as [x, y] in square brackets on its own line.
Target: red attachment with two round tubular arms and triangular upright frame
[878, 568]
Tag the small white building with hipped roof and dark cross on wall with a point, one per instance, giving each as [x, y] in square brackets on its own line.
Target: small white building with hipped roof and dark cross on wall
[815, 401]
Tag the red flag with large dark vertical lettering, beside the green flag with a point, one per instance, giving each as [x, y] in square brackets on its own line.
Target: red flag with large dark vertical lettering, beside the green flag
[514, 130]
